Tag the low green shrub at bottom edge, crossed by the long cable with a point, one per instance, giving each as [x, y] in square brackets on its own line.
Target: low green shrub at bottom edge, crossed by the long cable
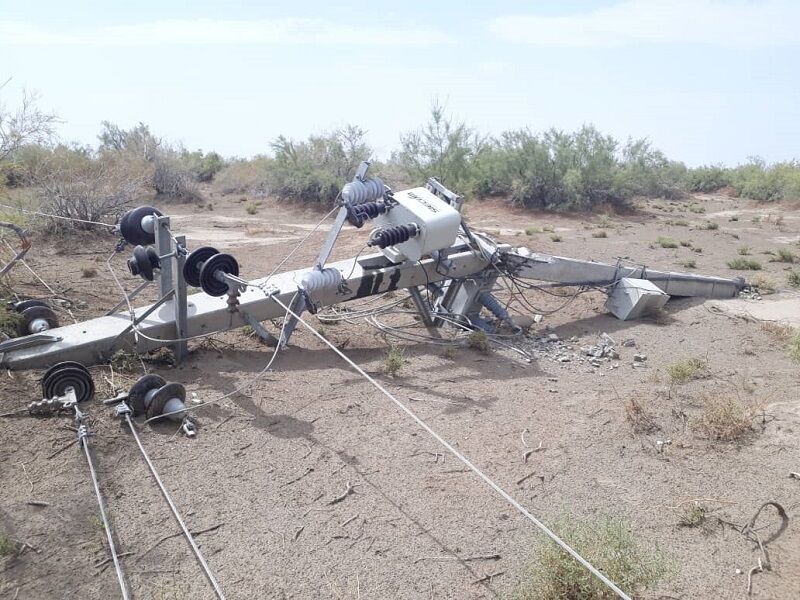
[608, 544]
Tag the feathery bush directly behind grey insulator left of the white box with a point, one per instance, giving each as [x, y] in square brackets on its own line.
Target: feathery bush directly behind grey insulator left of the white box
[315, 170]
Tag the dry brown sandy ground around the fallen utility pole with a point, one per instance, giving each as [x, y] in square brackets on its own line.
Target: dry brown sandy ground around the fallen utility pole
[261, 476]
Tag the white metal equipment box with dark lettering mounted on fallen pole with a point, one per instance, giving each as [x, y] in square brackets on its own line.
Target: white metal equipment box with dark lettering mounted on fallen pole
[437, 224]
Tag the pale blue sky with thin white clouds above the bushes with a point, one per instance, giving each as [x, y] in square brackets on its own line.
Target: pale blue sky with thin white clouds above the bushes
[708, 81]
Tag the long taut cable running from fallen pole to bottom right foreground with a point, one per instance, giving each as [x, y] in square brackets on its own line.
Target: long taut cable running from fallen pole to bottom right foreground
[486, 479]
